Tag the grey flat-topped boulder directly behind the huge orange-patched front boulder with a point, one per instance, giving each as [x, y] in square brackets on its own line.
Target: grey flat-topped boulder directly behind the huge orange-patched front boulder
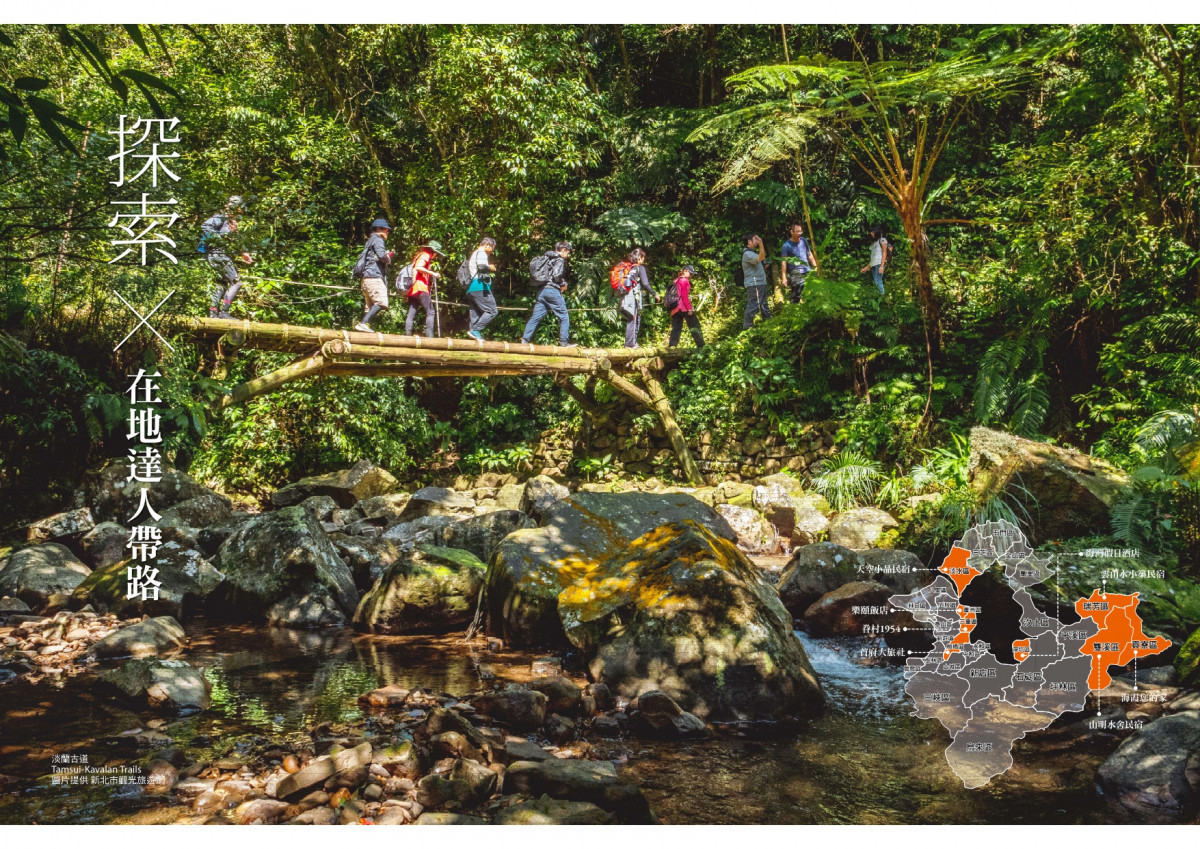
[532, 567]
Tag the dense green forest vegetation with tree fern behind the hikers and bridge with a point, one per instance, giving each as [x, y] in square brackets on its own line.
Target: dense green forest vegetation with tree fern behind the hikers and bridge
[1040, 184]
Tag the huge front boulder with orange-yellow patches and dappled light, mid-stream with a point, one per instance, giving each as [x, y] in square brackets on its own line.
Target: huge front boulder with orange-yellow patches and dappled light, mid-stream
[682, 611]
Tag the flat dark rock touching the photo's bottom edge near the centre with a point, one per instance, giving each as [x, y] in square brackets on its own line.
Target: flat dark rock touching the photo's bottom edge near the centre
[581, 781]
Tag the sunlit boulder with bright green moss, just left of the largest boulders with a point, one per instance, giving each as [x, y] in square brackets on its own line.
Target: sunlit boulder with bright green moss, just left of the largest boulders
[429, 589]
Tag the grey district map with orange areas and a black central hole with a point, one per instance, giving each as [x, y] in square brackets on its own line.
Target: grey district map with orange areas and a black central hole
[987, 705]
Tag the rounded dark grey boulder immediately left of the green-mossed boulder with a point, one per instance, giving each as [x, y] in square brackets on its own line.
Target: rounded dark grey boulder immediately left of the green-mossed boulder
[281, 567]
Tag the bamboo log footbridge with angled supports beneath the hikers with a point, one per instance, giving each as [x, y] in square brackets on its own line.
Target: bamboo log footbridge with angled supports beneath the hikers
[349, 353]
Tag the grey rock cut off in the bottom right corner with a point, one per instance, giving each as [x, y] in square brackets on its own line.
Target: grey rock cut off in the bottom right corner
[1155, 775]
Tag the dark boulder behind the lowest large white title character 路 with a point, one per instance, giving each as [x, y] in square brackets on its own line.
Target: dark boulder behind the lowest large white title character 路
[185, 579]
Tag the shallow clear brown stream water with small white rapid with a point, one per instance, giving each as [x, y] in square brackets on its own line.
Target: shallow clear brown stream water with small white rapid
[865, 761]
